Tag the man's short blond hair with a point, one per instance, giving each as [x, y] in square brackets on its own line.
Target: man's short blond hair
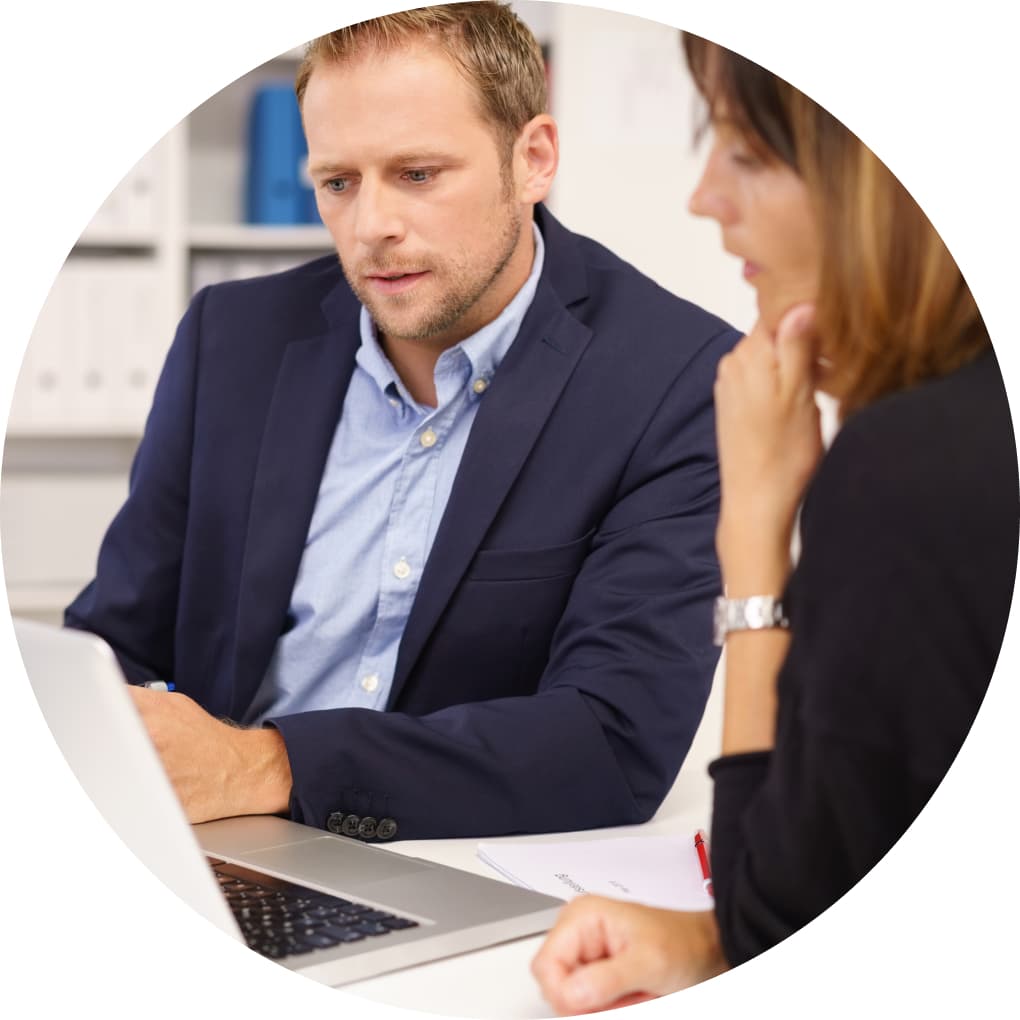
[491, 46]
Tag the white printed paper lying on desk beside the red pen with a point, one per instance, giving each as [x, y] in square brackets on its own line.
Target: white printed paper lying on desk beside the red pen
[660, 872]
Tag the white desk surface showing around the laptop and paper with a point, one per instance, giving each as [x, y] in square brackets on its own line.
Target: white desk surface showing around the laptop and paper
[497, 983]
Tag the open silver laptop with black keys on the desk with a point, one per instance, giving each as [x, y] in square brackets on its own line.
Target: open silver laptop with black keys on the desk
[328, 907]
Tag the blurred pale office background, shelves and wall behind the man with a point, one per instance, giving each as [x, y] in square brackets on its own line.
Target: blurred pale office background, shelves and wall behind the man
[223, 196]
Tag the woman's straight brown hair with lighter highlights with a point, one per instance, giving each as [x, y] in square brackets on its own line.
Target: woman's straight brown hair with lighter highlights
[893, 308]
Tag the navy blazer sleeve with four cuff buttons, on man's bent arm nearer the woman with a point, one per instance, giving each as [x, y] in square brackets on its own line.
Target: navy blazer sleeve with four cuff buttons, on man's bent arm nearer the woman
[626, 686]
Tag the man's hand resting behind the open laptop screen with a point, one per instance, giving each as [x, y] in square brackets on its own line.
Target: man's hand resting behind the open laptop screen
[218, 771]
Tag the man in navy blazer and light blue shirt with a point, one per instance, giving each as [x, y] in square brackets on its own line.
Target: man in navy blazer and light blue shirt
[429, 552]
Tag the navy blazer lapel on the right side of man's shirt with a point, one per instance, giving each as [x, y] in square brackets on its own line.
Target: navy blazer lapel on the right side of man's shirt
[523, 395]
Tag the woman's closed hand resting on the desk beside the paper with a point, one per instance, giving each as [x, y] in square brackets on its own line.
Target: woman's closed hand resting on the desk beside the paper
[604, 954]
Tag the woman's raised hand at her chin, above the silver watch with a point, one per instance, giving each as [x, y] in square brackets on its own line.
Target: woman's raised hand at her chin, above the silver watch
[770, 437]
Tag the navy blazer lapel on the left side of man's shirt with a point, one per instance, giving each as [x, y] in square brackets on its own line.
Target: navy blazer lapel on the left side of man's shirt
[308, 401]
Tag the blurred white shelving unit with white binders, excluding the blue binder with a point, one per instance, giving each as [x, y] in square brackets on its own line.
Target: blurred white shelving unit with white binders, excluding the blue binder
[175, 222]
